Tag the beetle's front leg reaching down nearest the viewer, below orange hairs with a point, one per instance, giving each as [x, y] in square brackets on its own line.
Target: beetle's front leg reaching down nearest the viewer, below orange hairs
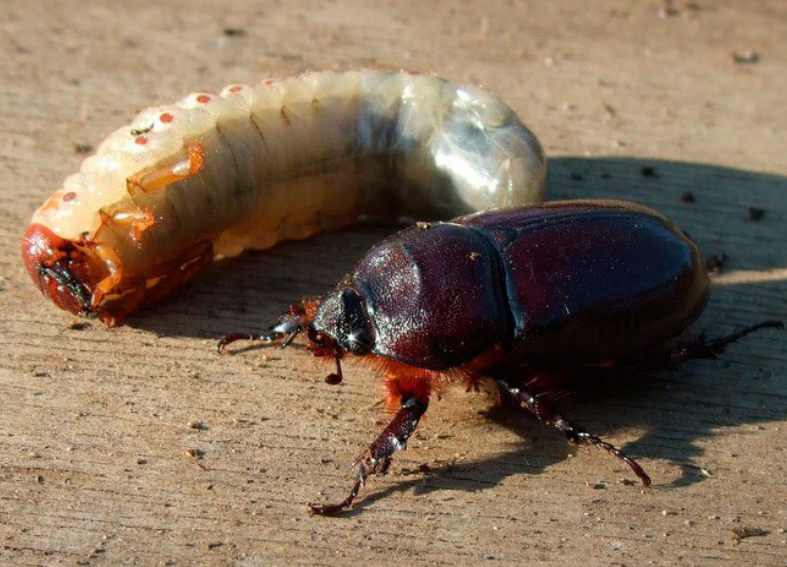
[378, 456]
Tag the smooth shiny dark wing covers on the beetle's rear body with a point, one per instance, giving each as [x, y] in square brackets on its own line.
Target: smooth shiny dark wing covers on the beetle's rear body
[594, 281]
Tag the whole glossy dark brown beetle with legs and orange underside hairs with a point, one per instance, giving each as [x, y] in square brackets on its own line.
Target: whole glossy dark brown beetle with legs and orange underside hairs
[527, 297]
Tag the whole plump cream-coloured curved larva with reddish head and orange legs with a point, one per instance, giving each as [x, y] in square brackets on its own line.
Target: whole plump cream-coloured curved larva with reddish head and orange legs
[213, 175]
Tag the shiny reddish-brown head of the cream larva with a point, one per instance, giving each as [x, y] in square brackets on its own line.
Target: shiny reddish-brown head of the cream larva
[57, 268]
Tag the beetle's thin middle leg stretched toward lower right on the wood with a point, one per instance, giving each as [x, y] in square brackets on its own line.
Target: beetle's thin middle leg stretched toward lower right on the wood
[575, 434]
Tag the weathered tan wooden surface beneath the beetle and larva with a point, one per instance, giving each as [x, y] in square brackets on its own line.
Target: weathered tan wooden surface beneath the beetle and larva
[94, 423]
